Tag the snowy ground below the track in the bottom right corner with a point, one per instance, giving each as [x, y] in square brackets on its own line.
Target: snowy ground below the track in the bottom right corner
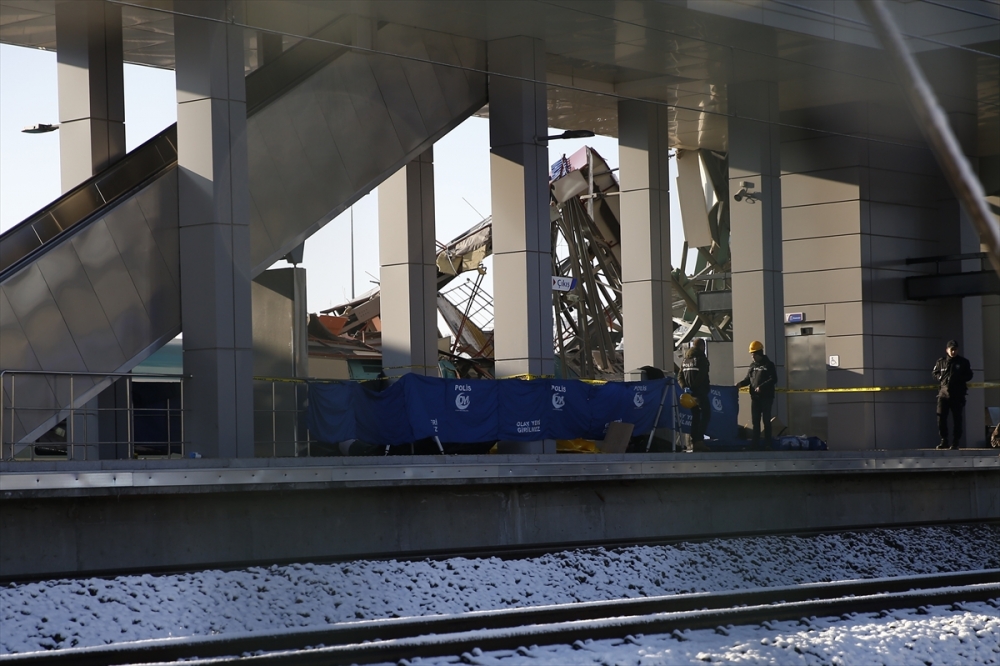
[935, 635]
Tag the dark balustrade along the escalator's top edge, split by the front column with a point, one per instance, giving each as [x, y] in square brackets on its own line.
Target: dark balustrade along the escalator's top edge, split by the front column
[71, 211]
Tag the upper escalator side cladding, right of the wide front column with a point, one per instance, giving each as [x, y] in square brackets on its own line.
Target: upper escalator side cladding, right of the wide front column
[374, 121]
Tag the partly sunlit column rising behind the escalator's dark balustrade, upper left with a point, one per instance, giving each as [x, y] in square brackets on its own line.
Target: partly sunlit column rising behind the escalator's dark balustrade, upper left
[91, 88]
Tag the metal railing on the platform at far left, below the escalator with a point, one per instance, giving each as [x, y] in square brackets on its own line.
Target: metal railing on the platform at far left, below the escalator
[90, 416]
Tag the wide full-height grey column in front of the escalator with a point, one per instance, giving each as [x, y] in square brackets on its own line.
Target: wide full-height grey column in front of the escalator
[214, 230]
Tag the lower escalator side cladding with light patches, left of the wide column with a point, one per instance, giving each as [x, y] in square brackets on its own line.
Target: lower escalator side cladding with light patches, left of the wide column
[99, 301]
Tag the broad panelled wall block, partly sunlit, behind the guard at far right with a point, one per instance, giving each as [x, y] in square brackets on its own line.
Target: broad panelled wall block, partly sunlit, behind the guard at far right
[858, 202]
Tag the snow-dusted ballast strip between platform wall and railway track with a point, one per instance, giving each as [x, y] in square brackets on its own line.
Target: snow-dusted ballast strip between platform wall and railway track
[93, 611]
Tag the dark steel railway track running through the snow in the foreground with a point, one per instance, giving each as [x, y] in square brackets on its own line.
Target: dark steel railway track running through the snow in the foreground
[389, 640]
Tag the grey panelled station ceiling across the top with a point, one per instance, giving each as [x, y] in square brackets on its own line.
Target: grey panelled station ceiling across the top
[682, 53]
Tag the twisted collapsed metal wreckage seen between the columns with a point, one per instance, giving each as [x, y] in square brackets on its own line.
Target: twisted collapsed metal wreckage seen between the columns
[589, 318]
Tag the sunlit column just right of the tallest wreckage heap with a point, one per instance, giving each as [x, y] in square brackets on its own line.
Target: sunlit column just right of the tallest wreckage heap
[643, 144]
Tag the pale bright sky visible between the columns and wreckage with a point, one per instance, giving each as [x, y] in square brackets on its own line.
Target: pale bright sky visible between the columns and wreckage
[29, 170]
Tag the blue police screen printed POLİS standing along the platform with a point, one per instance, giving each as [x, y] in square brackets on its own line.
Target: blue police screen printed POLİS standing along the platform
[521, 410]
